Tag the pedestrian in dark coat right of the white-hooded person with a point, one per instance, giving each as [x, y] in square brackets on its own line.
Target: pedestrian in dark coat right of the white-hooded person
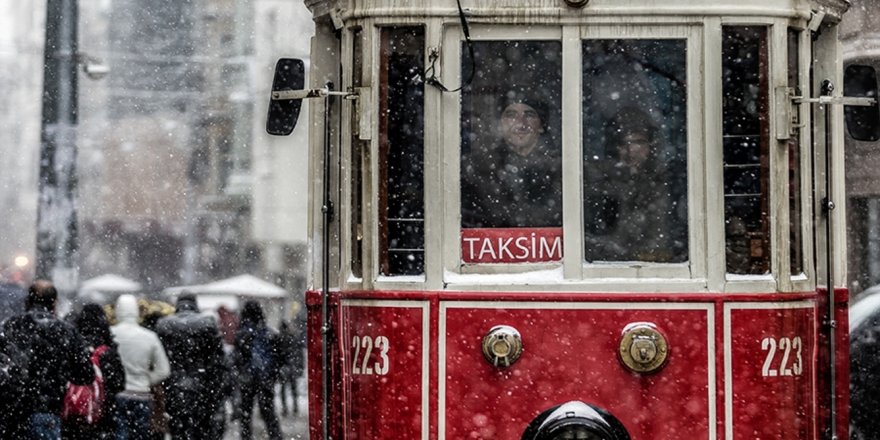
[197, 388]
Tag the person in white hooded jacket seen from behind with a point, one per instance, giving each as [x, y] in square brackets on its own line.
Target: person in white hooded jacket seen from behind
[145, 363]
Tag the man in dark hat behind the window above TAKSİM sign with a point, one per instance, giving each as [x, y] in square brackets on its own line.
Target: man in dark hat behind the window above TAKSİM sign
[515, 181]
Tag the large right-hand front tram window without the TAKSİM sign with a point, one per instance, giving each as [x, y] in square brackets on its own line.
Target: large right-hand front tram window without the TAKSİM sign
[635, 150]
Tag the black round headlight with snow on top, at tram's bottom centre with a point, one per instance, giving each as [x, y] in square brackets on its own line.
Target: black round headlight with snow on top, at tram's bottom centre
[575, 420]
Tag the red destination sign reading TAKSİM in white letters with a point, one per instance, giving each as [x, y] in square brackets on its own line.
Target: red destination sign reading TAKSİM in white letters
[511, 245]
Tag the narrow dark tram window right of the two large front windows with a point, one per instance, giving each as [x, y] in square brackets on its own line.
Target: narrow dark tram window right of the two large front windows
[746, 147]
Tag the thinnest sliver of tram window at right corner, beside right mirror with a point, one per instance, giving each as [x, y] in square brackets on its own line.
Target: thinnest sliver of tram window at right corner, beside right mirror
[796, 245]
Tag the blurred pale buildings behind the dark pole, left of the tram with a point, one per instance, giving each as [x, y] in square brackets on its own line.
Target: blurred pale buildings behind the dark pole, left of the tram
[179, 183]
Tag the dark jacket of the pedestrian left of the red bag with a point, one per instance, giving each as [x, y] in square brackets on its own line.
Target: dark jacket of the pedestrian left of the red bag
[57, 355]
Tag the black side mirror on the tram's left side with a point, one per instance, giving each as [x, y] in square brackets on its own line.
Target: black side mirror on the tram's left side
[283, 113]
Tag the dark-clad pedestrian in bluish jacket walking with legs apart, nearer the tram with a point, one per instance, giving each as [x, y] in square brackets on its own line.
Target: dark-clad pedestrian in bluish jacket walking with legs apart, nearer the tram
[257, 362]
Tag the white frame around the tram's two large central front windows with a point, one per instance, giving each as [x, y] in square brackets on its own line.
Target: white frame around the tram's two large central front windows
[573, 271]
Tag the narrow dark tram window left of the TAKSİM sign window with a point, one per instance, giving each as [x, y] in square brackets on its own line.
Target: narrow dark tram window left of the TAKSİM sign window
[401, 151]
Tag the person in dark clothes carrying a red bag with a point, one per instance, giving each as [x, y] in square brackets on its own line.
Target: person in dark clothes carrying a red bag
[92, 324]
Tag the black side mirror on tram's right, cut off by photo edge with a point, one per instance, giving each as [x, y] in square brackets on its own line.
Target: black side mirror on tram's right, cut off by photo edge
[862, 122]
